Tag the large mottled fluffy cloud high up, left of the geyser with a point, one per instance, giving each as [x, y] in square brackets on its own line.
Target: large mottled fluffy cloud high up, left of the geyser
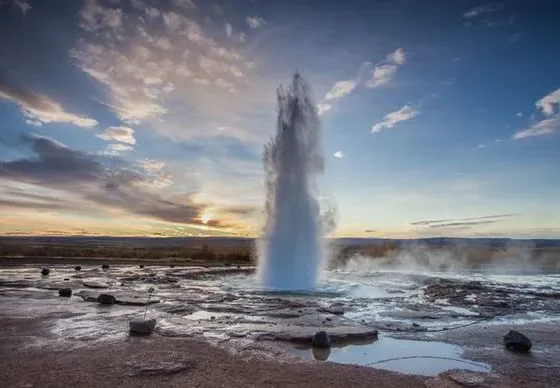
[155, 60]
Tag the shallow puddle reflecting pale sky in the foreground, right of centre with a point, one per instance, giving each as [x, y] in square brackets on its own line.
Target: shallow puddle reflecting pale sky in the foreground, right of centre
[404, 356]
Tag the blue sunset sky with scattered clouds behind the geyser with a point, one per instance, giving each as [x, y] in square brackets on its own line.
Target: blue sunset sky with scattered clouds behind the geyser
[149, 118]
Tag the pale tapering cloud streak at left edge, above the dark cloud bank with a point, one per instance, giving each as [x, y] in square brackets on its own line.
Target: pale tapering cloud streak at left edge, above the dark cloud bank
[40, 109]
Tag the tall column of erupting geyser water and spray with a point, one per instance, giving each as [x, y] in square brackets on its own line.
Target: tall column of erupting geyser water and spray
[291, 249]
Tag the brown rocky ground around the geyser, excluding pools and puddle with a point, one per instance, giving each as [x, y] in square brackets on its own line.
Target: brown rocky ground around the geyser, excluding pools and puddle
[208, 335]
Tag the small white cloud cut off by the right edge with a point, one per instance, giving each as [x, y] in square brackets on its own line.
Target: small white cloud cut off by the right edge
[549, 105]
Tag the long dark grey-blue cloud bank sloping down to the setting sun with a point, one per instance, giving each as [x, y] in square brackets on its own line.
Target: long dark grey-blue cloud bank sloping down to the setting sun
[109, 182]
